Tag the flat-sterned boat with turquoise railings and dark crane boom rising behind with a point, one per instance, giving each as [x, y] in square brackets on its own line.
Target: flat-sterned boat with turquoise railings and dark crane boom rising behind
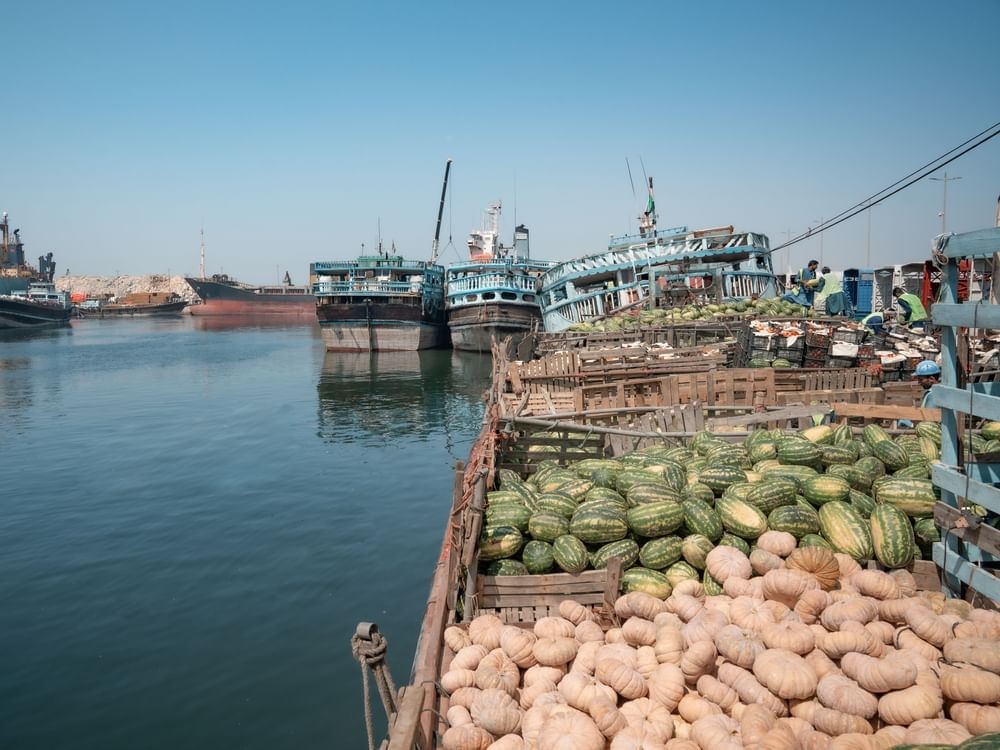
[383, 302]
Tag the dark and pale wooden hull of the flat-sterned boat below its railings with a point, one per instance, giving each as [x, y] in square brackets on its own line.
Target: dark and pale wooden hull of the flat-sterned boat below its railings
[379, 327]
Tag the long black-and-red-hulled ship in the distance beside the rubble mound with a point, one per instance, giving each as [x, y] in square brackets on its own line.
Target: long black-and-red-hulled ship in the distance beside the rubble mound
[221, 295]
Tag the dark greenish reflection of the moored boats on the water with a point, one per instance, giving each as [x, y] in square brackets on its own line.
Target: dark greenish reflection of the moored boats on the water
[379, 396]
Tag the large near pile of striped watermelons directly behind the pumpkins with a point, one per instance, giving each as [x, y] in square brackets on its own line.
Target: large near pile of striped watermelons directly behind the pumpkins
[661, 510]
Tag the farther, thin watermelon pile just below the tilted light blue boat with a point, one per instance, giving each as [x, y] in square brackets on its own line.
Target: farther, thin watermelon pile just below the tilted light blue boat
[632, 319]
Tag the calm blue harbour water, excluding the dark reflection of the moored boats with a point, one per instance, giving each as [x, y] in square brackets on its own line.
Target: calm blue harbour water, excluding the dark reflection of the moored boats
[195, 516]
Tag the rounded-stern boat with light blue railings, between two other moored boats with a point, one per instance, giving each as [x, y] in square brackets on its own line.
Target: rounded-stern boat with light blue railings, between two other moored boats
[493, 294]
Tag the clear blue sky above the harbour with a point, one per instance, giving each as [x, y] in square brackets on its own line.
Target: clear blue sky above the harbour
[288, 130]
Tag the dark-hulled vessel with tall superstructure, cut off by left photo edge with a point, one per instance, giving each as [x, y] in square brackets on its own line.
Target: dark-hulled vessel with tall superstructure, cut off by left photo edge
[30, 299]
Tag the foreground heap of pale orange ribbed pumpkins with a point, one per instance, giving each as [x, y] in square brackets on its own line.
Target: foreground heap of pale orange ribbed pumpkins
[815, 653]
